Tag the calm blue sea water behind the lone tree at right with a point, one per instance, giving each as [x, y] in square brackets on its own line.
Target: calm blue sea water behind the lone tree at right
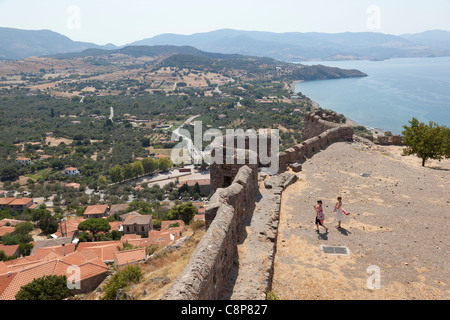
[394, 92]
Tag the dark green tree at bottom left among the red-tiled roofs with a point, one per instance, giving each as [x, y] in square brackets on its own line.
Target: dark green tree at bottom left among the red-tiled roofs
[45, 288]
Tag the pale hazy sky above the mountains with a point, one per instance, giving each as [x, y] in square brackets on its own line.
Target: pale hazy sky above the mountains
[122, 22]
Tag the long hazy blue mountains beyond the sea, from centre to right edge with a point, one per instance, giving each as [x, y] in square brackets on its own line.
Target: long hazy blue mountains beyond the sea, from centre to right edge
[296, 46]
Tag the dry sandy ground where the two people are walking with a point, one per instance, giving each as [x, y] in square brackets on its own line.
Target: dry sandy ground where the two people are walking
[398, 222]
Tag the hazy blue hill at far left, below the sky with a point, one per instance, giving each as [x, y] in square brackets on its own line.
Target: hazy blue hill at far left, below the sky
[19, 44]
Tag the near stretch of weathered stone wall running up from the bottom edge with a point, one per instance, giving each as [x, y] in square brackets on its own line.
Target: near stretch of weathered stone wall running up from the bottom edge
[206, 274]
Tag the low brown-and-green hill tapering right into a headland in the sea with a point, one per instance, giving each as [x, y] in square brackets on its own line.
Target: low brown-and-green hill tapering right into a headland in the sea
[132, 61]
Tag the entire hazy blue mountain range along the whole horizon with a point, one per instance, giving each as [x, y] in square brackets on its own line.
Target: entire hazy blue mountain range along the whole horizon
[16, 44]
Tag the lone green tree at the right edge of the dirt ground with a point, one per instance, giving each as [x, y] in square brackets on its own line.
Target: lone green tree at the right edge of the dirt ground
[426, 141]
